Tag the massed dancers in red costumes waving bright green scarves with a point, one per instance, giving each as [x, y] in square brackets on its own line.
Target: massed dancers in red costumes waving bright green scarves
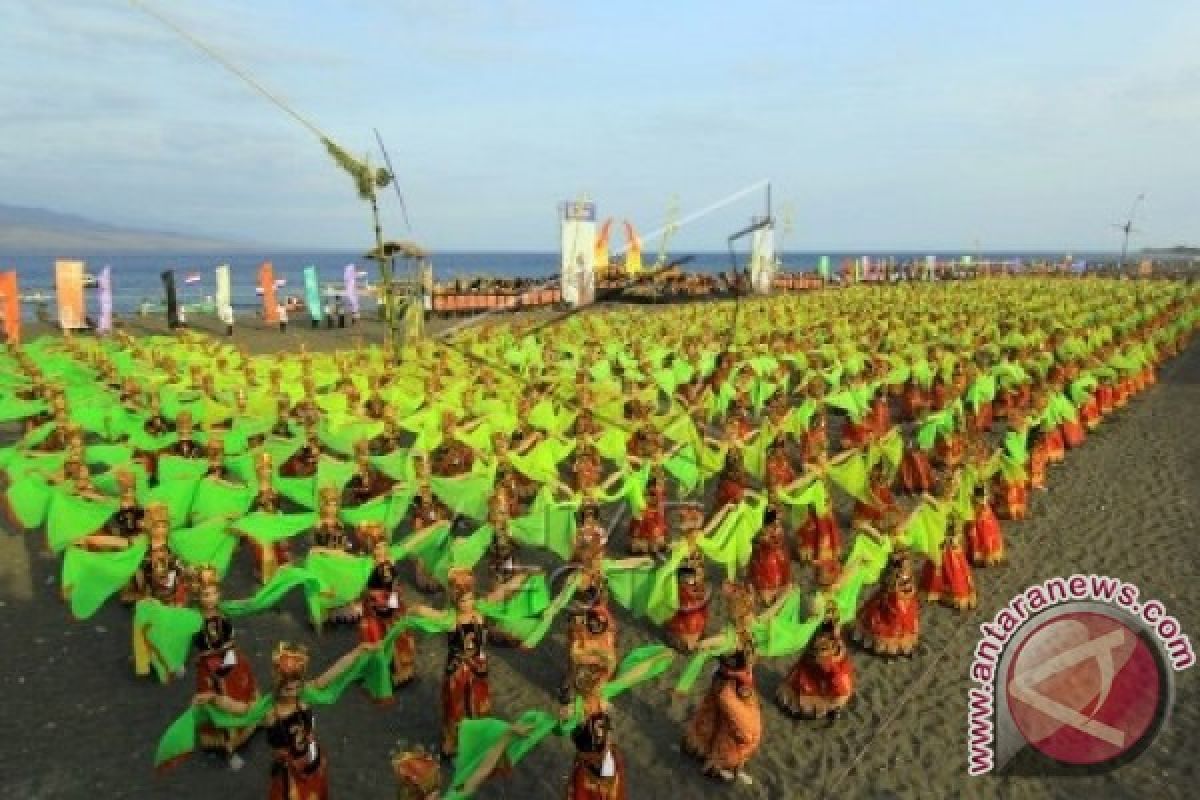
[759, 480]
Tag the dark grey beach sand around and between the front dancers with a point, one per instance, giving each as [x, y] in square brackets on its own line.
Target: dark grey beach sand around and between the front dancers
[77, 724]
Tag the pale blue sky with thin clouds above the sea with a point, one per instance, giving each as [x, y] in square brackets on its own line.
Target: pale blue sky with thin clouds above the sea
[881, 124]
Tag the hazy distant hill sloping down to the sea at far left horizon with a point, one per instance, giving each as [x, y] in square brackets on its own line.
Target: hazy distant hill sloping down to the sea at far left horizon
[40, 230]
